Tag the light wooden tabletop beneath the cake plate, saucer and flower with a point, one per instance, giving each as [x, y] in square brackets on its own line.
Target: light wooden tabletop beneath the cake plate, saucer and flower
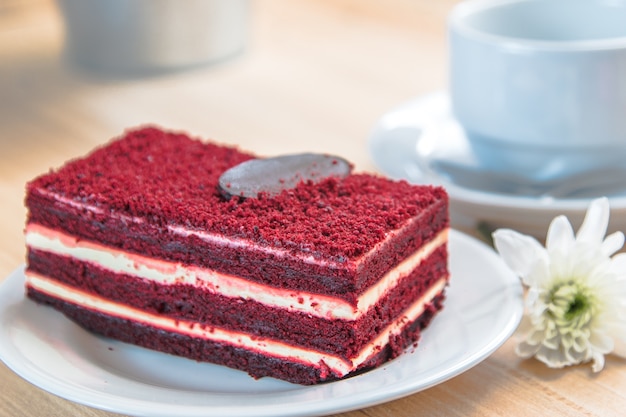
[316, 76]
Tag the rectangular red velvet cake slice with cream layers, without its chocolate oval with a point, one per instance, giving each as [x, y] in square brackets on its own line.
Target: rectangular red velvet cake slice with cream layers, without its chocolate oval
[137, 242]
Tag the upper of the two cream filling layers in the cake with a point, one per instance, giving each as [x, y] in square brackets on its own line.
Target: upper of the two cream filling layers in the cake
[168, 273]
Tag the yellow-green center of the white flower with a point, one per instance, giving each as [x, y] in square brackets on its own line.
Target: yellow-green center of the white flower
[570, 305]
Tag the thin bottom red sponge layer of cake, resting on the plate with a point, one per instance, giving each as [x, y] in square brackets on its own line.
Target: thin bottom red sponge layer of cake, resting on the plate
[256, 365]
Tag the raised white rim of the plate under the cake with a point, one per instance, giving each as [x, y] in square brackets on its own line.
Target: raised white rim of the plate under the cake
[398, 389]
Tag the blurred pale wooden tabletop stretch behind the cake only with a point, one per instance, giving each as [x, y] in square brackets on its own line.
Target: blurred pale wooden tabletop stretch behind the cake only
[314, 75]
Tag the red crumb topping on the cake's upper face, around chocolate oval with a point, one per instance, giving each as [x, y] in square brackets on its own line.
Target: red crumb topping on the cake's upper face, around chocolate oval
[172, 179]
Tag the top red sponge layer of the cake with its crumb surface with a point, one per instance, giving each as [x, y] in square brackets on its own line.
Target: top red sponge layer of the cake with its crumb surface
[147, 178]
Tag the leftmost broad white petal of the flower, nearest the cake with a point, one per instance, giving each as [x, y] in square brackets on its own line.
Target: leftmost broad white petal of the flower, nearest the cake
[519, 252]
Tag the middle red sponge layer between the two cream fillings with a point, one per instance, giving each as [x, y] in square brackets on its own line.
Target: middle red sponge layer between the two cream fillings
[185, 302]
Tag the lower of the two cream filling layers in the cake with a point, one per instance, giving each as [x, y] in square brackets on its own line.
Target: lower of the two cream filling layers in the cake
[264, 346]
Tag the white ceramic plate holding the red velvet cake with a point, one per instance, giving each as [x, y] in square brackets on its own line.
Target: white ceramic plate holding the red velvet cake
[483, 308]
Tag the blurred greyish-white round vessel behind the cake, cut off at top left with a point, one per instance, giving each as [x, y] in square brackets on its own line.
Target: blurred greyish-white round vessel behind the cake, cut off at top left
[135, 37]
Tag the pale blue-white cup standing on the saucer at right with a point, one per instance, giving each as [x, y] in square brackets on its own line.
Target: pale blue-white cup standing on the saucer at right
[540, 85]
